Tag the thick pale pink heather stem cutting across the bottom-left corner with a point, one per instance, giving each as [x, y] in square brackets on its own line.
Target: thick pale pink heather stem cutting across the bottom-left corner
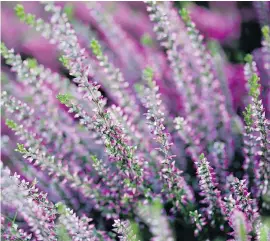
[38, 212]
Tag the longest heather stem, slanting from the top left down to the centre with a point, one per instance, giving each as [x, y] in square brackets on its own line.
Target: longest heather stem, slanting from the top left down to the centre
[61, 32]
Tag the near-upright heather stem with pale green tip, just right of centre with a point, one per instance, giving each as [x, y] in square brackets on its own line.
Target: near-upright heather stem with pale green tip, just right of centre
[174, 183]
